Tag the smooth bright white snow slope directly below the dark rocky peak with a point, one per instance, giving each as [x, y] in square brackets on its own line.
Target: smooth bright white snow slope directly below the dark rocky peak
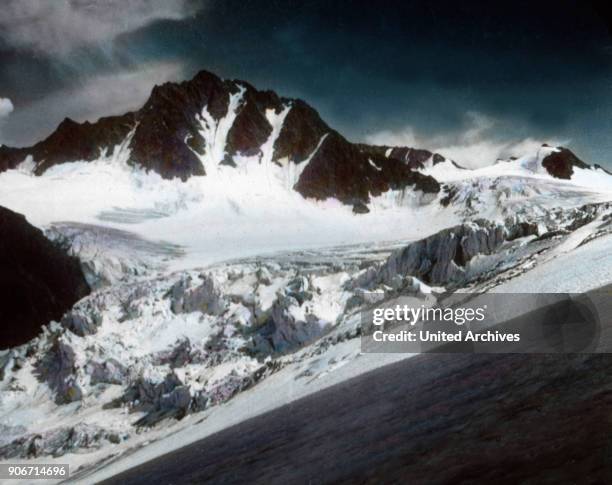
[231, 212]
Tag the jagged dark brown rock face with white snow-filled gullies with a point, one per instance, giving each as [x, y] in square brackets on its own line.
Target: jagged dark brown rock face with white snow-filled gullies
[186, 128]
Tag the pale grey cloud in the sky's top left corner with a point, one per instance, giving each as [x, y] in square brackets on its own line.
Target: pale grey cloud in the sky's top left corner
[58, 27]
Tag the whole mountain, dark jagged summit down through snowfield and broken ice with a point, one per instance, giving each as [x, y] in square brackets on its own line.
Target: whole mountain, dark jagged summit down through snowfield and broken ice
[215, 258]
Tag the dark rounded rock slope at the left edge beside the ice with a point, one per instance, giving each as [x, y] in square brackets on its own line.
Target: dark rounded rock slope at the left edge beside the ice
[38, 280]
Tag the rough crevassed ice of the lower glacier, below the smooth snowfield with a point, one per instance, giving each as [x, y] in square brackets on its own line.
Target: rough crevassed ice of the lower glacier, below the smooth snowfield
[151, 346]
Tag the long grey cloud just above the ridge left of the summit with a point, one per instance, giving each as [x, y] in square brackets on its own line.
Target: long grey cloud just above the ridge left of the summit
[103, 95]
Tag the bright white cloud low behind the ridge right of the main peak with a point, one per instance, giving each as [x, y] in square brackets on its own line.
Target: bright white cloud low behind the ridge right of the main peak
[479, 142]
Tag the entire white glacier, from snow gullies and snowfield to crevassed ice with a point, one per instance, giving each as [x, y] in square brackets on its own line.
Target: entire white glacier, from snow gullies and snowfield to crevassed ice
[224, 296]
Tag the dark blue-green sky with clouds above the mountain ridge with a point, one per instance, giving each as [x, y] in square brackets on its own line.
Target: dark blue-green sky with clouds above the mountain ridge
[471, 79]
